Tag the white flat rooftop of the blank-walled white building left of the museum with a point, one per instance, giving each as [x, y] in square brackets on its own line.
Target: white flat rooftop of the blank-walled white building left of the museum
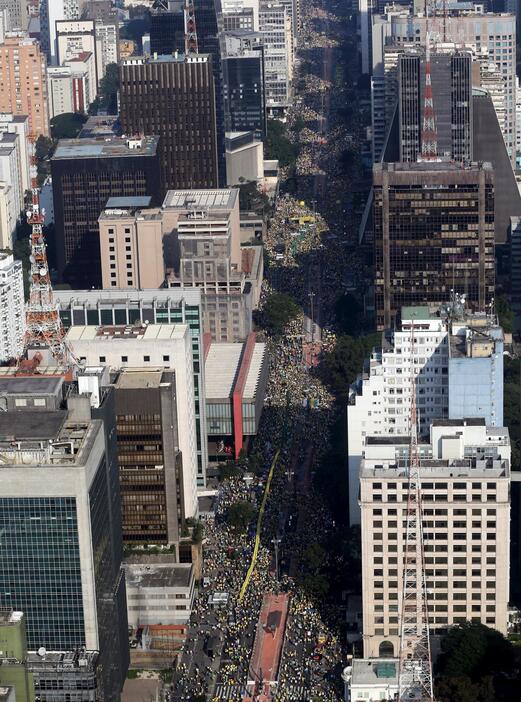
[140, 332]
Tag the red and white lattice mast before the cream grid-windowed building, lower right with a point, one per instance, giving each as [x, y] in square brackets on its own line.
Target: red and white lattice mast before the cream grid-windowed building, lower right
[415, 664]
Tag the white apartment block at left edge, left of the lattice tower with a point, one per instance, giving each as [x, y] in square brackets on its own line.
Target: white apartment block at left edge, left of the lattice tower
[12, 311]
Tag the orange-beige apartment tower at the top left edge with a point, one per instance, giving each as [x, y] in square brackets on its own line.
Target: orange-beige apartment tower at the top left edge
[23, 83]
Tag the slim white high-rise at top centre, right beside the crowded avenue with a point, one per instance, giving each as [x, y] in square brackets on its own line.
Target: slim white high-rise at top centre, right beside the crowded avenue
[275, 28]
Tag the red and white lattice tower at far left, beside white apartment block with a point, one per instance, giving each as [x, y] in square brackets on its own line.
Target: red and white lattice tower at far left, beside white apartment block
[44, 327]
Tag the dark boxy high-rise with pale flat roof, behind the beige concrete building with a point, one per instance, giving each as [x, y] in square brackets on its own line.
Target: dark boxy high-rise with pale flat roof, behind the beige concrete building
[85, 174]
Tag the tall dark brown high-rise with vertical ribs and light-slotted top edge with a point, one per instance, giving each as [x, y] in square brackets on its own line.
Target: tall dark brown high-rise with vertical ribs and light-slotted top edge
[173, 97]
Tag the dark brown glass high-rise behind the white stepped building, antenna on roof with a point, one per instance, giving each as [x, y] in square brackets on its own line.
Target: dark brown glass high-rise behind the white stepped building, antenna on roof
[433, 234]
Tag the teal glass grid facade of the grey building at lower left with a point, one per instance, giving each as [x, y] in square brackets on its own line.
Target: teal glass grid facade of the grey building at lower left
[40, 569]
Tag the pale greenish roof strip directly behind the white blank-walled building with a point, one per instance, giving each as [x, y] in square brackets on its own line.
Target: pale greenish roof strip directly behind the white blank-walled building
[158, 297]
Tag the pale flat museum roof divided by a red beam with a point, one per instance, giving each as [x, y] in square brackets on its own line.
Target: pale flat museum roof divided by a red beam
[222, 366]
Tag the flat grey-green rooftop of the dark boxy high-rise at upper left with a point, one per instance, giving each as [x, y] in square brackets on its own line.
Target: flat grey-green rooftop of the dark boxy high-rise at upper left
[106, 147]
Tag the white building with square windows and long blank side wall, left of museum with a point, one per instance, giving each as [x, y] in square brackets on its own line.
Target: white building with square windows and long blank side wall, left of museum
[150, 347]
